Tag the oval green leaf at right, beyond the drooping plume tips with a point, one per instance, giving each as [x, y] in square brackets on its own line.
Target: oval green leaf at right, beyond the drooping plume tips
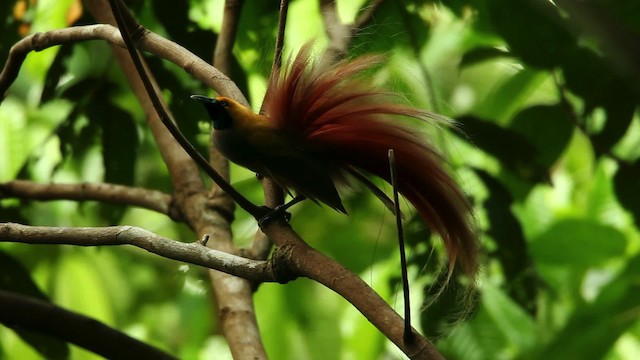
[578, 243]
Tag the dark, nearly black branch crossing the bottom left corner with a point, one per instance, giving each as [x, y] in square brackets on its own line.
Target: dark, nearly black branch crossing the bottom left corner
[23, 312]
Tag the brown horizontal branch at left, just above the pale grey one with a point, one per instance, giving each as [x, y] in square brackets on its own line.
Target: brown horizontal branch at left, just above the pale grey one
[119, 194]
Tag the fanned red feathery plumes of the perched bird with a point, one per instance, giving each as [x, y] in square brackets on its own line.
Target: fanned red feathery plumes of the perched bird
[333, 111]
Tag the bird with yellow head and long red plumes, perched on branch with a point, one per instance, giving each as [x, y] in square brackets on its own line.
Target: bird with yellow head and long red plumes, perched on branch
[326, 123]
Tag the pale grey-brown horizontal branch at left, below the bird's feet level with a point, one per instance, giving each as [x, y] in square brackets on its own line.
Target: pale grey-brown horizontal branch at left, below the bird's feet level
[193, 253]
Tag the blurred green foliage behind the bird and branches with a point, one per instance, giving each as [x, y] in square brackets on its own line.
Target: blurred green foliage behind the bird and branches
[548, 152]
